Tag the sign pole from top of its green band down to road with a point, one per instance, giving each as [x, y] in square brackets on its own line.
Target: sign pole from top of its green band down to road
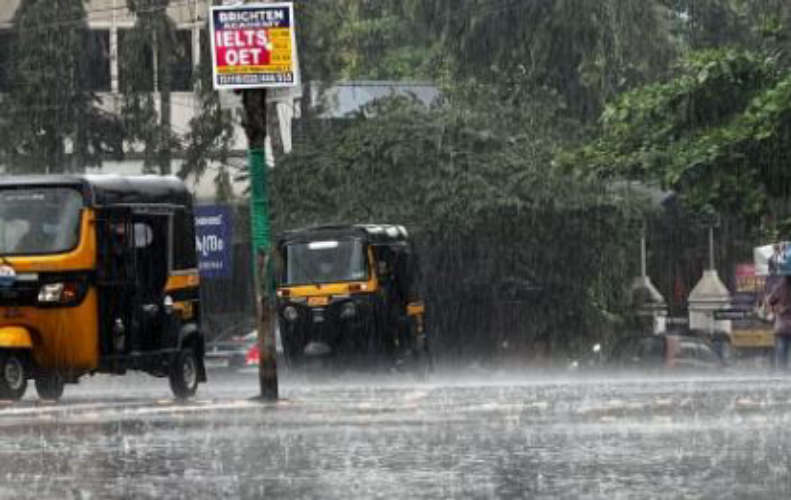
[262, 251]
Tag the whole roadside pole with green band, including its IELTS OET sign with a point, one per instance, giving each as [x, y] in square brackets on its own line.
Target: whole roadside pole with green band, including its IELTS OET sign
[254, 48]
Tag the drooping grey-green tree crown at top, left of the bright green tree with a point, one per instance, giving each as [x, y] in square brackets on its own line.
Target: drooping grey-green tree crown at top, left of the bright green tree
[587, 52]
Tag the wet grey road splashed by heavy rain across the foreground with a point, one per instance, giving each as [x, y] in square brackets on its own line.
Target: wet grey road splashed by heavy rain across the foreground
[484, 436]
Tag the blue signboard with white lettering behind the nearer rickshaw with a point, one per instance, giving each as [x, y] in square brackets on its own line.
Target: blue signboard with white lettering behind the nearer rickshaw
[213, 240]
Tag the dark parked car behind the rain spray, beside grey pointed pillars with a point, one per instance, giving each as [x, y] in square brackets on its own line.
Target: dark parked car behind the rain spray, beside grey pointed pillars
[665, 351]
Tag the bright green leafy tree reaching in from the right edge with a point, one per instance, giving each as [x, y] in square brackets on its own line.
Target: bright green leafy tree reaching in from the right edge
[715, 132]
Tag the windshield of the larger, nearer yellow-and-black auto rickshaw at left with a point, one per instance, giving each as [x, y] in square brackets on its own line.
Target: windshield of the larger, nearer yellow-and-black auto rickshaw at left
[39, 220]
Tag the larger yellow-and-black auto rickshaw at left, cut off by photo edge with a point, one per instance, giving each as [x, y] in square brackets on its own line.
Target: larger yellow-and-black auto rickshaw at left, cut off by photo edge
[98, 274]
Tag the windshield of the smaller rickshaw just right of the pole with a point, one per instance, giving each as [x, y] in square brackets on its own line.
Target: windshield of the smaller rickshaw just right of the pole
[325, 262]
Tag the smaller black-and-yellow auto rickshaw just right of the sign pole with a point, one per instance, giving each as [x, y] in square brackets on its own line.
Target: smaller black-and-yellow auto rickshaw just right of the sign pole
[347, 294]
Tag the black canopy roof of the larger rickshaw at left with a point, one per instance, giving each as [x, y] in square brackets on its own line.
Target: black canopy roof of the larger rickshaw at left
[110, 190]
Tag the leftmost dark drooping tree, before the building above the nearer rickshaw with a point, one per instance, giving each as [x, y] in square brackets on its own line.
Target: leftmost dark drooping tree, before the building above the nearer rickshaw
[51, 120]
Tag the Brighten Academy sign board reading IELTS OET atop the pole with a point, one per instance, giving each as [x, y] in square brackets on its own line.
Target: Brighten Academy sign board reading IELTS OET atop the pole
[253, 46]
